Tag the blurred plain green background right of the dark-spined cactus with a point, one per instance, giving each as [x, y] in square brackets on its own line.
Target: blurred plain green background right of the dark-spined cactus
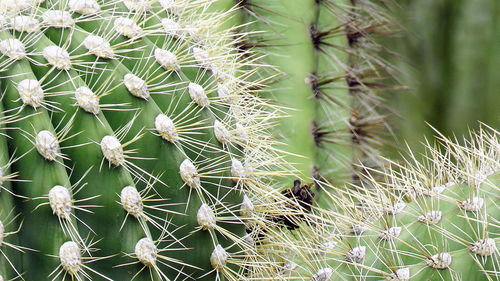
[449, 57]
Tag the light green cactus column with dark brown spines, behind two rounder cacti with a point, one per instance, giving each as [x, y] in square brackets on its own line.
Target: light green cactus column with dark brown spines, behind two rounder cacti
[329, 55]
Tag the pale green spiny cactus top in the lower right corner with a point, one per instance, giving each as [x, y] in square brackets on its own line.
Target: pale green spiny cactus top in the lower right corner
[431, 220]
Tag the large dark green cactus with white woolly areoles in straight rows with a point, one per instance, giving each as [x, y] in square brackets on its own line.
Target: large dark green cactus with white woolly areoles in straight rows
[131, 139]
